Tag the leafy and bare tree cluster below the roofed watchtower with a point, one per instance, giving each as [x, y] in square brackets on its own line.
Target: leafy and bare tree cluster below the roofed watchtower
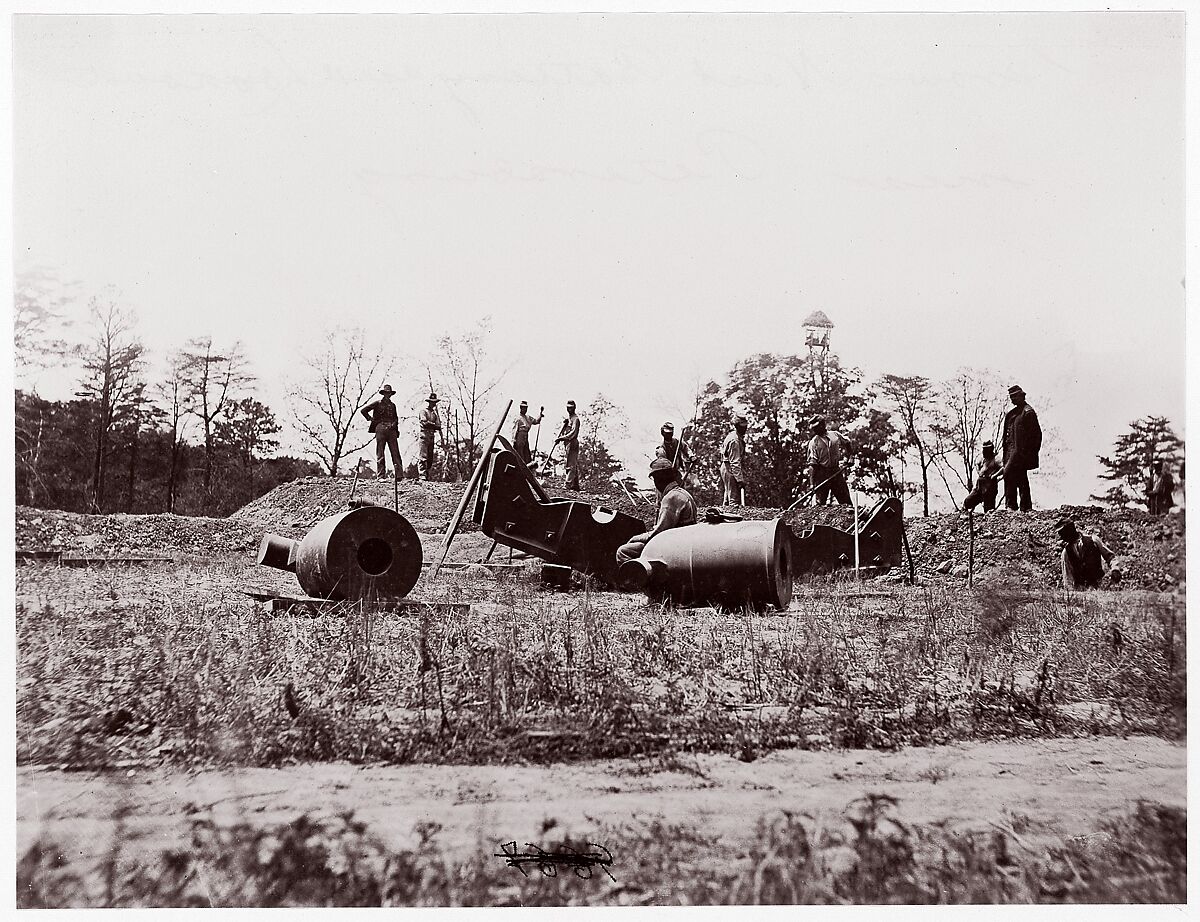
[911, 436]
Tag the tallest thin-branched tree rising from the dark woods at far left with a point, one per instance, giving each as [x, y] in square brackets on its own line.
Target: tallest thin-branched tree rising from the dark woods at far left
[112, 364]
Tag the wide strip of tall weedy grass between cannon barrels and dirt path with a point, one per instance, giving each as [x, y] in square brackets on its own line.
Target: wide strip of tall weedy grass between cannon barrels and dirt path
[118, 668]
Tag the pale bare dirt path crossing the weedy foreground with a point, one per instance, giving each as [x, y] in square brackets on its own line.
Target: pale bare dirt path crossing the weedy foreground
[1046, 789]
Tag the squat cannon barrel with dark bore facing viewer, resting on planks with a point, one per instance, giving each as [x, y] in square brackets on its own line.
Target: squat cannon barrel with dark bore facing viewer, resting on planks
[371, 553]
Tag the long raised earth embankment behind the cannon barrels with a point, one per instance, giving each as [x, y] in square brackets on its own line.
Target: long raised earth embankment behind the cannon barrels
[1012, 548]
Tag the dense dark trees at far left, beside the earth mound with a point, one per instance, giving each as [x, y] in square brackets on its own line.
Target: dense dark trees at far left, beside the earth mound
[123, 442]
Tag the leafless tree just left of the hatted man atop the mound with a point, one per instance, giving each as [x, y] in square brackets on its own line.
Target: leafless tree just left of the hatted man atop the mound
[326, 403]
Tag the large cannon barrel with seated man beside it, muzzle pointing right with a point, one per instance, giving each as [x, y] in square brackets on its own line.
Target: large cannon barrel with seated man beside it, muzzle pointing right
[728, 565]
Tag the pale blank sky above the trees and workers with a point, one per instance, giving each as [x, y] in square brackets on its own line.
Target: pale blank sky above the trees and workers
[638, 201]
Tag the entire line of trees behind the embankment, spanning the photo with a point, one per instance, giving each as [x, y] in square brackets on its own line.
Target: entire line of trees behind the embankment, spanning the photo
[193, 438]
